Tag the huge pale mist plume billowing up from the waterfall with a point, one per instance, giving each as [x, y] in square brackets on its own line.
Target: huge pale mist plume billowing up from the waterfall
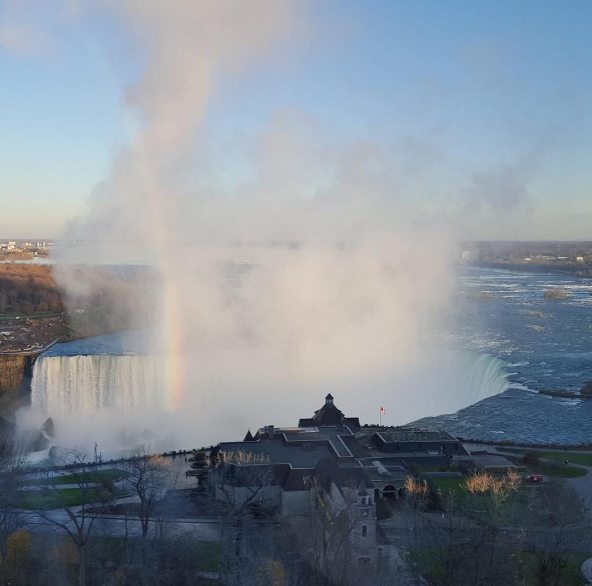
[319, 273]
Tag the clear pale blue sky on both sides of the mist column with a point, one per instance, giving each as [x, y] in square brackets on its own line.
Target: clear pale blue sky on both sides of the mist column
[476, 86]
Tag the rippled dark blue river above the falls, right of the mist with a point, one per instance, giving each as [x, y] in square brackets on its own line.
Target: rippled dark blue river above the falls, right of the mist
[547, 344]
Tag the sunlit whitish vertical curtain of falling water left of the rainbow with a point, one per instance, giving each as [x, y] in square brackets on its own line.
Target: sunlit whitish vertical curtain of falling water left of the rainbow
[85, 384]
